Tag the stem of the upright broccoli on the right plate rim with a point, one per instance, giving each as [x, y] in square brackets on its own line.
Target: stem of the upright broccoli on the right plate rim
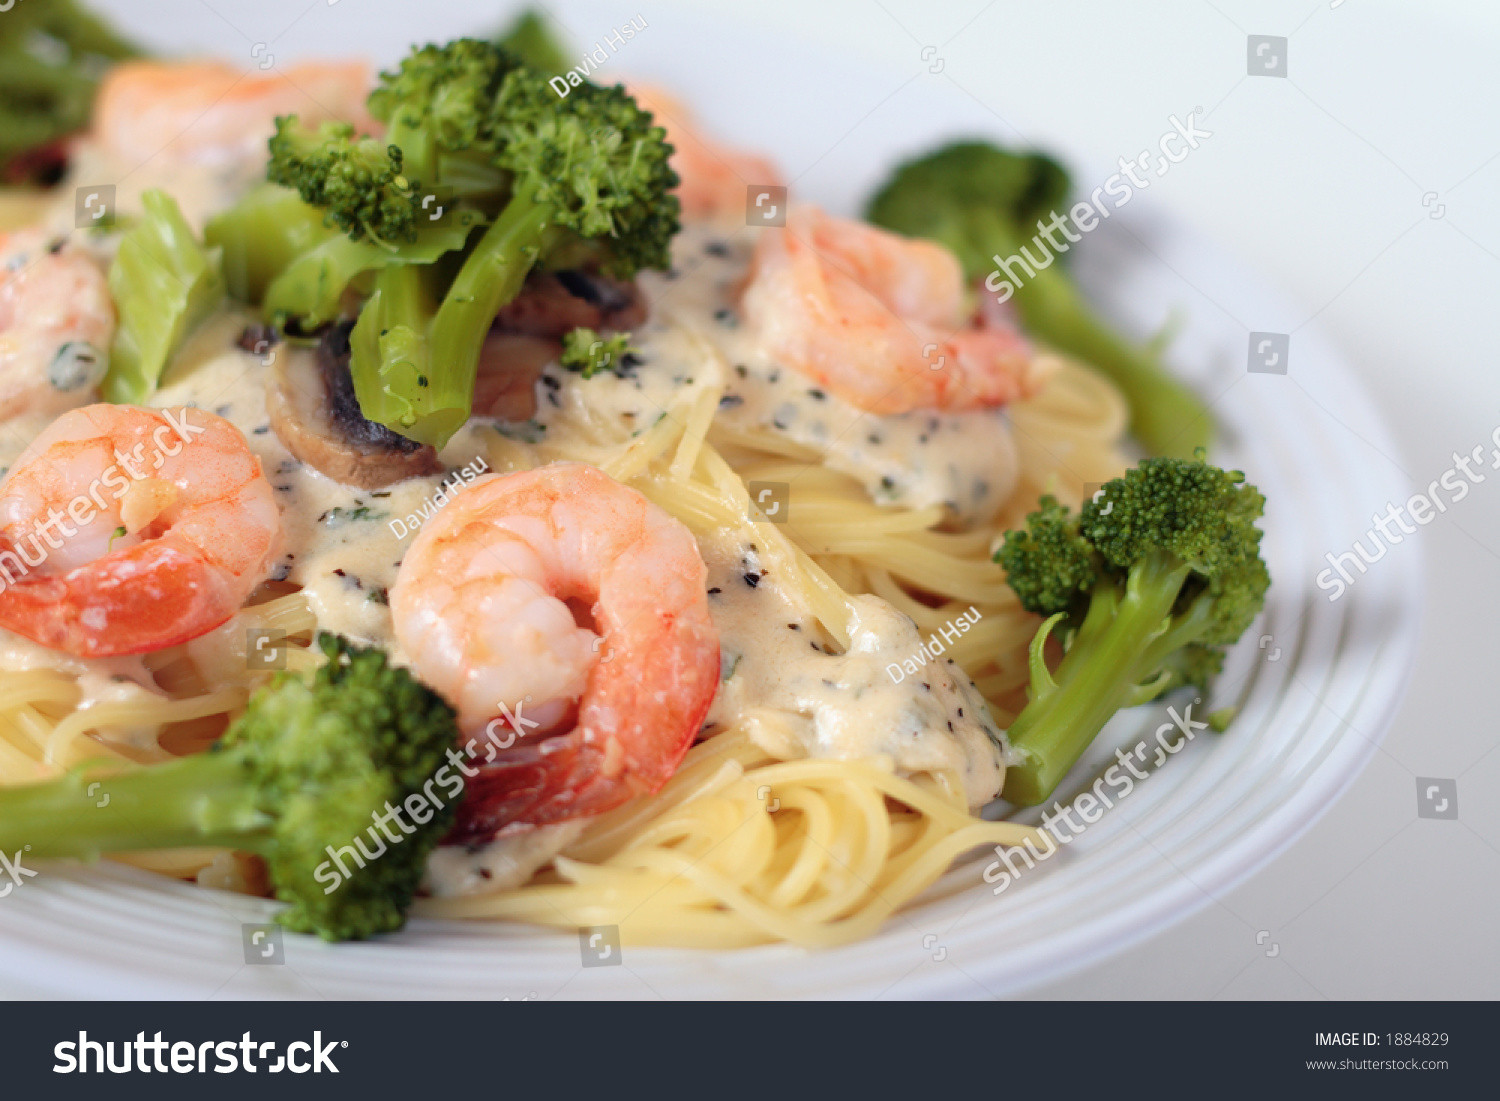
[1118, 644]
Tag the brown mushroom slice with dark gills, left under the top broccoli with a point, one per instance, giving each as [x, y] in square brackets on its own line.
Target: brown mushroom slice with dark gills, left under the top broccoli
[316, 415]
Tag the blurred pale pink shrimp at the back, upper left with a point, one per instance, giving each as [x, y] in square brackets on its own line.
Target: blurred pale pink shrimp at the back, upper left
[215, 112]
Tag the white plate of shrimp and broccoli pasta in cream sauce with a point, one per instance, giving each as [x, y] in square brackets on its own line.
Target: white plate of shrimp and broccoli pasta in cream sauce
[472, 529]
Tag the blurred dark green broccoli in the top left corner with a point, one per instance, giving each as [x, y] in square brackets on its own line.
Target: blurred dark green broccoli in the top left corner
[52, 56]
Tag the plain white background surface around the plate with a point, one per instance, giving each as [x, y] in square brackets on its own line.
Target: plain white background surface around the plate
[1327, 182]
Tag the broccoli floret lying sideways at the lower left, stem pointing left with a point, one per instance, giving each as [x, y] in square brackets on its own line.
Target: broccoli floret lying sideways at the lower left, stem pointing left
[304, 772]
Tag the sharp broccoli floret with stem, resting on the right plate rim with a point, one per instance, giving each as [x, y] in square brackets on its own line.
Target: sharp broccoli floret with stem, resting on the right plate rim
[1151, 581]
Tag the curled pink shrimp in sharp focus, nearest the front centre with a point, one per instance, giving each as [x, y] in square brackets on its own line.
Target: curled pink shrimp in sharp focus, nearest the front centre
[488, 607]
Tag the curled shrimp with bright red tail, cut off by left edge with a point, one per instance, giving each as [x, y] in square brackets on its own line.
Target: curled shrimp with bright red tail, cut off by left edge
[128, 530]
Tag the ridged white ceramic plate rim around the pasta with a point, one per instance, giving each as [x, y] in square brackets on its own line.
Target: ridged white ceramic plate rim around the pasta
[1318, 682]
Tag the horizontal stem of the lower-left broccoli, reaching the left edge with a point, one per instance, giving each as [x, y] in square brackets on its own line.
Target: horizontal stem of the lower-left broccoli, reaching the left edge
[200, 800]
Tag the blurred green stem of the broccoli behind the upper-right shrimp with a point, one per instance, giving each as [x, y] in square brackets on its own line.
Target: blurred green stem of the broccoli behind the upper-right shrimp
[1165, 415]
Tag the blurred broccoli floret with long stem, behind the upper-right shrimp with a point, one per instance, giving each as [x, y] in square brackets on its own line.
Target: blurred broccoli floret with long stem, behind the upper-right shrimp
[985, 202]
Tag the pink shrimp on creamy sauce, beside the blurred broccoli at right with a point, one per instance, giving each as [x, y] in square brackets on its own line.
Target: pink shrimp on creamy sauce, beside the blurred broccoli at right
[881, 319]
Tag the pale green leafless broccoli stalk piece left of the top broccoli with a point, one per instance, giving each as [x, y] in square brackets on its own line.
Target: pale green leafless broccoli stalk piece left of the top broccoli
[164, 284]
